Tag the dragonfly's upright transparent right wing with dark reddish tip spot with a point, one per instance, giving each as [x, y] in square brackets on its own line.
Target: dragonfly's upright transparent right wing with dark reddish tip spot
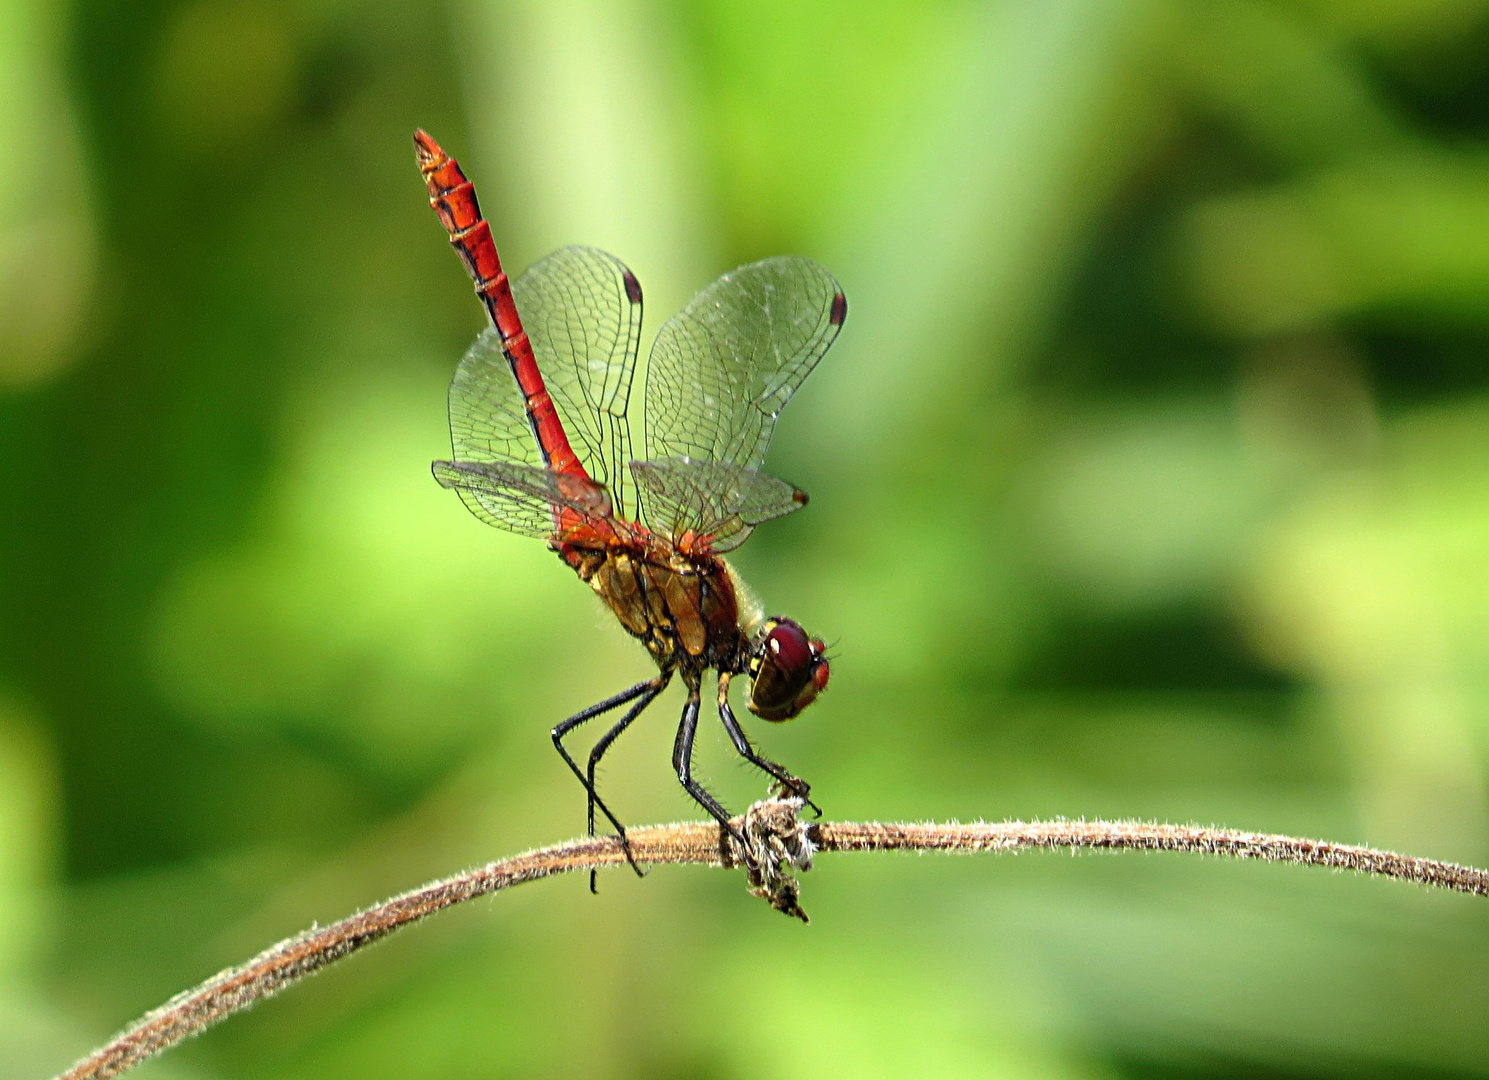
[726, 366]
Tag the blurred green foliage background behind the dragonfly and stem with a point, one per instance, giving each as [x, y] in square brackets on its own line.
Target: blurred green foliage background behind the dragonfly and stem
[1150, 479]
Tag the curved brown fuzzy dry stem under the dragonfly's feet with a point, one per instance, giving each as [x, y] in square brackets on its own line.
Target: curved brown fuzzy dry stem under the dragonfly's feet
[702, 844]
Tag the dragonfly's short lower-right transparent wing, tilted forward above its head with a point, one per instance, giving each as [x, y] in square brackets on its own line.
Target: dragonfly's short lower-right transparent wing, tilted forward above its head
[717, 500]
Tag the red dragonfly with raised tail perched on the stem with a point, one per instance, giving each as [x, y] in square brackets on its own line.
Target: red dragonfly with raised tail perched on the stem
[541, 434]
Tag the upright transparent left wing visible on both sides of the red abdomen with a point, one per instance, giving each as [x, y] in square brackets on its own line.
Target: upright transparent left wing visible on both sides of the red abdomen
[583, 312]
